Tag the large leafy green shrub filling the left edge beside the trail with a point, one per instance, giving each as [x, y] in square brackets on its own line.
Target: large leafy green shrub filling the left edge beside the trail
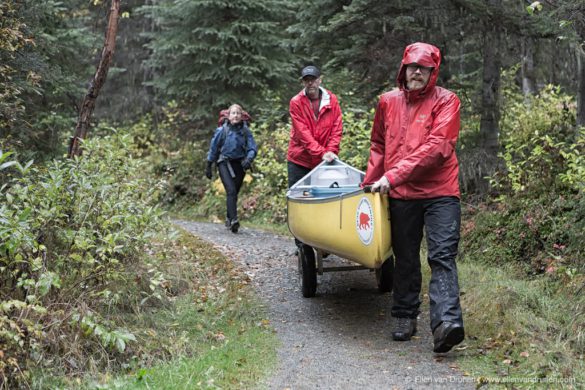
[71, 236]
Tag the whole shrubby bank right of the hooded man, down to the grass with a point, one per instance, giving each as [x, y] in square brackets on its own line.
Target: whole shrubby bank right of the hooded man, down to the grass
[538, 221]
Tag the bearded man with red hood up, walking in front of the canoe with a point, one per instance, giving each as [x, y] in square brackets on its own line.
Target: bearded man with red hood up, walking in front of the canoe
[412, 158]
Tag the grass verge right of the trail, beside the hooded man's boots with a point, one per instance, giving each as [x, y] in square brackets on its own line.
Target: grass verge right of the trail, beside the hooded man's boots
[521, 333]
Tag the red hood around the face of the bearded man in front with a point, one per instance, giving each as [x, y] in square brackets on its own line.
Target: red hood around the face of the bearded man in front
[425, 55]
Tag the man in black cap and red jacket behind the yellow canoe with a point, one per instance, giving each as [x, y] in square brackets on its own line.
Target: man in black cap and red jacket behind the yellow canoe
[316, 129]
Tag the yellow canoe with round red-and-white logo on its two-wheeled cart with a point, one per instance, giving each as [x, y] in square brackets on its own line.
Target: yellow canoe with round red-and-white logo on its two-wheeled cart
[328, 211]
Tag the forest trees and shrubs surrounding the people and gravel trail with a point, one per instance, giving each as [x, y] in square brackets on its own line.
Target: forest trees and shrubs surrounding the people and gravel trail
[73, 231]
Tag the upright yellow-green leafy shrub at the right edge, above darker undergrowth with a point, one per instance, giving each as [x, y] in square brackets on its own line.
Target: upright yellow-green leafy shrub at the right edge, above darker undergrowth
[538, 138]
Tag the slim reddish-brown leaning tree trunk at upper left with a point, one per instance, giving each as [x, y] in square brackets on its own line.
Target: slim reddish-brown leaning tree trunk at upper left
[97, 82]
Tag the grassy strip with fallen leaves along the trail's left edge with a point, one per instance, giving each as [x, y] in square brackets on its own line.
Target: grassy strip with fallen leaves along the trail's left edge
[212, 334]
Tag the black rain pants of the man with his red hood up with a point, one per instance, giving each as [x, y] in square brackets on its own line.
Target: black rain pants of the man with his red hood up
[441, 218]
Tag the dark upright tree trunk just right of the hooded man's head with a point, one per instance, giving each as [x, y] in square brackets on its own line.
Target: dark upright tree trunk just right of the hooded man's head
[490, 115]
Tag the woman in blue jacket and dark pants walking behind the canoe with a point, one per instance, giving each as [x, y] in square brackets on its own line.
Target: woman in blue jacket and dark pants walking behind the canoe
[232, 148]
